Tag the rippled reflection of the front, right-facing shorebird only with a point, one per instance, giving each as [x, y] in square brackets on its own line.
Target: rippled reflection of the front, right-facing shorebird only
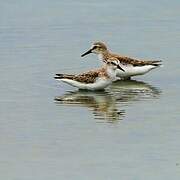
[102, 103]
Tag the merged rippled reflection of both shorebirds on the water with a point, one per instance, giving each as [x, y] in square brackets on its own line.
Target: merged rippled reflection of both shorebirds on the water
[110, 105]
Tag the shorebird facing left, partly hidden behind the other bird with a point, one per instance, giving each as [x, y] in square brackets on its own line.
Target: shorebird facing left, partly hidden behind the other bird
[131, 66]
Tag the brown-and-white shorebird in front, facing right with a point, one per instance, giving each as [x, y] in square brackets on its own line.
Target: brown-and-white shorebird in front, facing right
[94, 79]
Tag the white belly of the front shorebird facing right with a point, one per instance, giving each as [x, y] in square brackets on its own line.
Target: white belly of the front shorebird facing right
[98, 85]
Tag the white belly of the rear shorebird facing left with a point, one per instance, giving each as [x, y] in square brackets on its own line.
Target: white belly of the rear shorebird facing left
[130, 70]
